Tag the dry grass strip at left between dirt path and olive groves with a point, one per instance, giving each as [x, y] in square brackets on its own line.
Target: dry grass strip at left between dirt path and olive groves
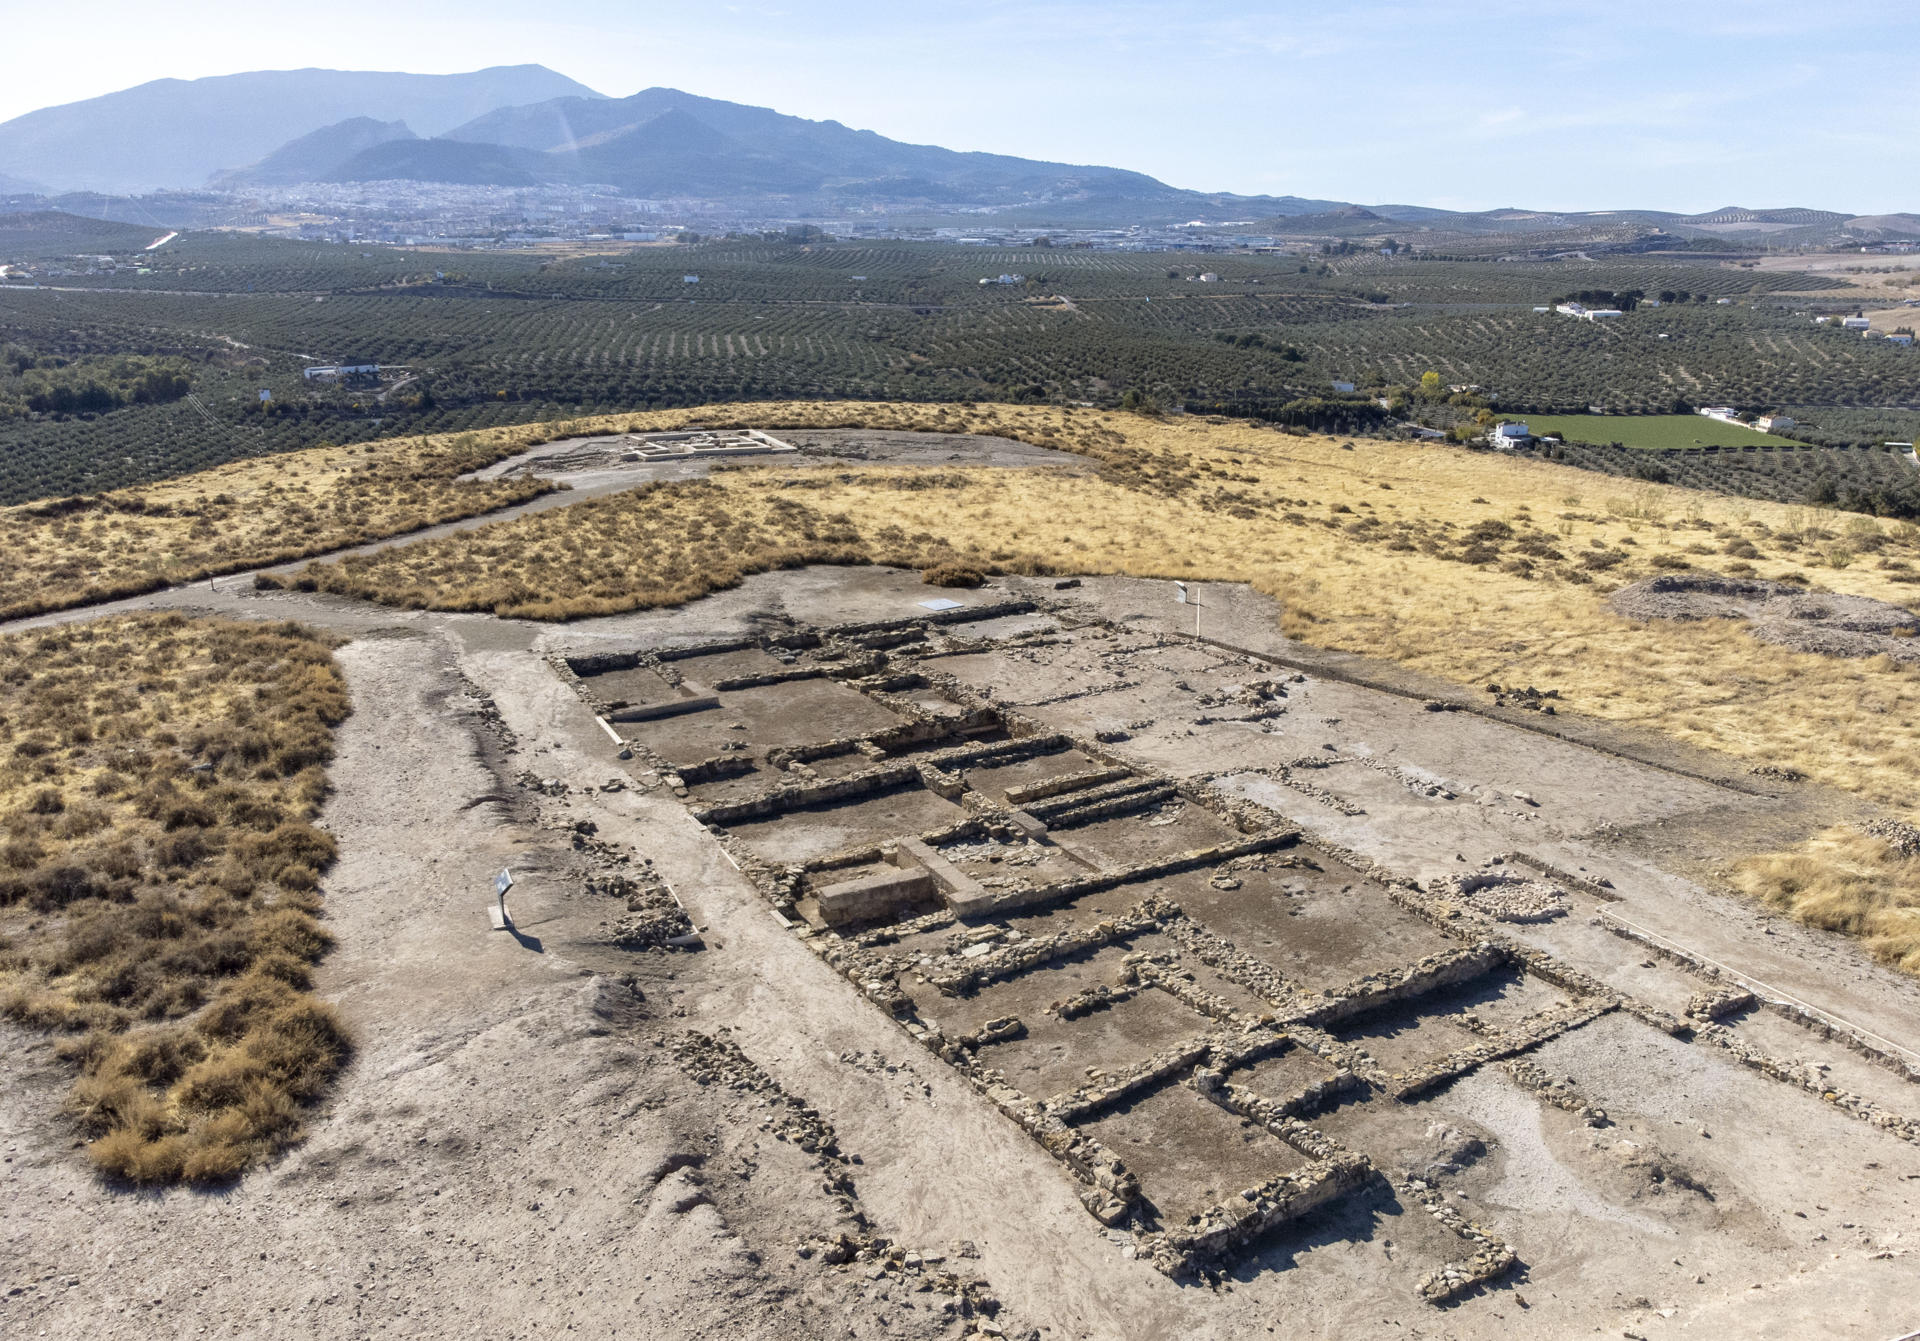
[270, 510]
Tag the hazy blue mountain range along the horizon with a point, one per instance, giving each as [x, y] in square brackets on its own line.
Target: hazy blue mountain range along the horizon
[527, 126]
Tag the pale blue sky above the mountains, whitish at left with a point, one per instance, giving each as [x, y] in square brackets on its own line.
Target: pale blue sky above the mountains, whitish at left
[1548, 105]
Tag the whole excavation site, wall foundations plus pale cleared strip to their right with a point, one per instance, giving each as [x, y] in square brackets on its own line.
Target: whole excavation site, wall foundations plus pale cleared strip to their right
[1205, 931]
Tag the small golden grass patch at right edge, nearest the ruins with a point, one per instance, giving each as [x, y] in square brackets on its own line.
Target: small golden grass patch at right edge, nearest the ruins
[1846, 881]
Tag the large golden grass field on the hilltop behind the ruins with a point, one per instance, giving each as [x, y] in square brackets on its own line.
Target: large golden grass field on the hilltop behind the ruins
[1472, 568]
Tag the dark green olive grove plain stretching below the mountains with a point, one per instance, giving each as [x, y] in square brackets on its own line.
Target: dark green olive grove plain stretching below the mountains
[475, 339]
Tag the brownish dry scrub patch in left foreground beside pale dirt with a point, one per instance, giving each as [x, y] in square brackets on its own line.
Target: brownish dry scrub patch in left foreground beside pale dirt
[160, 881]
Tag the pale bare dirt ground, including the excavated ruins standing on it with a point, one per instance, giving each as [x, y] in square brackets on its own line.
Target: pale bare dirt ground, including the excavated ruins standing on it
[1685, 1117]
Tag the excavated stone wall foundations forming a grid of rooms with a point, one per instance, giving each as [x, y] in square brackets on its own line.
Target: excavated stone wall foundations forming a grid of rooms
[1199, 1010]
